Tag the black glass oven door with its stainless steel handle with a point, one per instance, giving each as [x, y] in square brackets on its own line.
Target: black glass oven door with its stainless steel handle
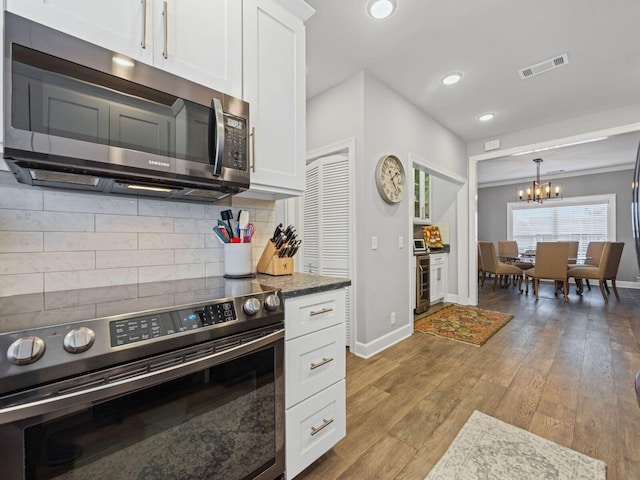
[220, 416]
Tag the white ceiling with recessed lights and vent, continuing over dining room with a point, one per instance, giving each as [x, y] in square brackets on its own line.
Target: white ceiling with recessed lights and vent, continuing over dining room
[489, 41]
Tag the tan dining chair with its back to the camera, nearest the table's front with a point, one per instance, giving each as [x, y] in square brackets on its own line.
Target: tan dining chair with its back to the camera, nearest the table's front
[551, 264]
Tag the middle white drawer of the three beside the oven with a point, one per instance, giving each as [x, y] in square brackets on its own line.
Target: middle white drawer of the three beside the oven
[313, 362]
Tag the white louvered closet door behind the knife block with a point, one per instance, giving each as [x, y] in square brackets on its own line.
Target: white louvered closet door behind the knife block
[326, 222]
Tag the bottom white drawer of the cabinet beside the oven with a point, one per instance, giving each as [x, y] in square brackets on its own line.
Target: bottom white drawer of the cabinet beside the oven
[314, 426]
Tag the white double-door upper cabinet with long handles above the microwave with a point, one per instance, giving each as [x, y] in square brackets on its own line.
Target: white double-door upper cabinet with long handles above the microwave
[201, 41]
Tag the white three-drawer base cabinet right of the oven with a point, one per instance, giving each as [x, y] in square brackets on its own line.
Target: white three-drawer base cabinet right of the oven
[315, 366]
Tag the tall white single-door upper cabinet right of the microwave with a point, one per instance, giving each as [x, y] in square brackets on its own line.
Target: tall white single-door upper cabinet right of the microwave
[274, 86]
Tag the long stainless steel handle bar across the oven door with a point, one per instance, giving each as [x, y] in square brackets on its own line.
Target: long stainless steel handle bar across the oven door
[95, 393]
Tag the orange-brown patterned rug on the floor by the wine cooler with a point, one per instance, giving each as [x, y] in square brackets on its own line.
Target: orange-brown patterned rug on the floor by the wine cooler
[465, 324]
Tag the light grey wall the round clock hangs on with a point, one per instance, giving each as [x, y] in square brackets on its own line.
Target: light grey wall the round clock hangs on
[382, 122]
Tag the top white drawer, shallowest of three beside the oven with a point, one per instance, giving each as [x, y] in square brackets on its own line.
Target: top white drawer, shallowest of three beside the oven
[314, 312]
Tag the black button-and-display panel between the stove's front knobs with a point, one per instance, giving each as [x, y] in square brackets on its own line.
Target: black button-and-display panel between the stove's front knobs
[132, 330]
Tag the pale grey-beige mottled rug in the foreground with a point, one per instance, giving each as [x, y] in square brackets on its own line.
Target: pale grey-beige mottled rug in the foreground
[489, 449]
